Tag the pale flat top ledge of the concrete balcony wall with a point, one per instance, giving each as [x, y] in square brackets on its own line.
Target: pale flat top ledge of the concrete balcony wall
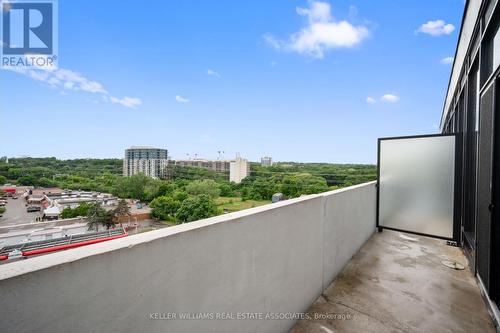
[11, 270]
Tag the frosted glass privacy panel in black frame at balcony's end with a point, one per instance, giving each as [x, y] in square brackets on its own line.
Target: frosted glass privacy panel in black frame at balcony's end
[417, 184]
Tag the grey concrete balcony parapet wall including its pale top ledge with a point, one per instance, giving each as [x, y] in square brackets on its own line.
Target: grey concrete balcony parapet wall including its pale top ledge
[276, 258]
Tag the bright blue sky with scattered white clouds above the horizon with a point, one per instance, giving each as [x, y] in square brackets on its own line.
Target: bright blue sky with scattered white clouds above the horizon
[297, 80]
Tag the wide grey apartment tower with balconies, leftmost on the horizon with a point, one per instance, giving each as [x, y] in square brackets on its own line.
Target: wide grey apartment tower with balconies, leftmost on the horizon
[147, 160]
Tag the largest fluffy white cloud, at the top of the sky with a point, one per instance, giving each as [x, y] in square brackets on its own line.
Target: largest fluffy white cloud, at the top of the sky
[321, 34]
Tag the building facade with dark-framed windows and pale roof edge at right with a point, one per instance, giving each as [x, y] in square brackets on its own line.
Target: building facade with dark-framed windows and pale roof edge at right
[469, 111]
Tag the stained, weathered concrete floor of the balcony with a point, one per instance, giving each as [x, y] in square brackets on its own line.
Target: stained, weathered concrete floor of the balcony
[396, 285]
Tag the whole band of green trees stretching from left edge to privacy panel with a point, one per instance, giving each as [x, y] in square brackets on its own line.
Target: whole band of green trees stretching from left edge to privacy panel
[188, 192]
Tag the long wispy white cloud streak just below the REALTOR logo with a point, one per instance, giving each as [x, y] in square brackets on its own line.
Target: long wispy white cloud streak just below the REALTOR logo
[68, 80]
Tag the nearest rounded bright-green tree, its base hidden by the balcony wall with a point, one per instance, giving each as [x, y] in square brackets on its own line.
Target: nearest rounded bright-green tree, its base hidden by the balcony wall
[196, 208]
